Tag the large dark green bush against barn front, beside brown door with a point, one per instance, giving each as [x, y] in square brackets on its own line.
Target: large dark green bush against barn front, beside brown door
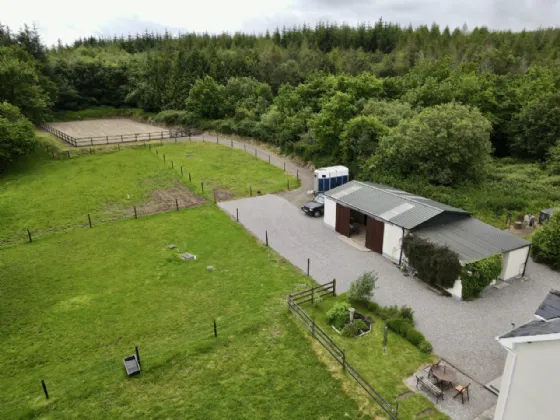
[434, 264]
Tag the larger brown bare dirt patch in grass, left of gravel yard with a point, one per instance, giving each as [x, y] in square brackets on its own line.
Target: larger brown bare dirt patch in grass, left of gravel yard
[169, 198]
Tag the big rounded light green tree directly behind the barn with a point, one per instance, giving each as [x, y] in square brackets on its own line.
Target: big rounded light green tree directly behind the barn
[446, 144]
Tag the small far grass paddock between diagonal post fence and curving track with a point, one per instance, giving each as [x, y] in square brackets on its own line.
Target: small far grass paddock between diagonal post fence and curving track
[232, 172]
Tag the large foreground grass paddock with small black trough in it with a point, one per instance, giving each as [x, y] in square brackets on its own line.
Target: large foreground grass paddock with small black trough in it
[75, 303]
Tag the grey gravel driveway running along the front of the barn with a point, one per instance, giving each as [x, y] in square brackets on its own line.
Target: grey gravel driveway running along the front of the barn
[463, 333]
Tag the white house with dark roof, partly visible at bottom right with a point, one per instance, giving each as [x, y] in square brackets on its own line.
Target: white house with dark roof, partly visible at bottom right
[530, 384]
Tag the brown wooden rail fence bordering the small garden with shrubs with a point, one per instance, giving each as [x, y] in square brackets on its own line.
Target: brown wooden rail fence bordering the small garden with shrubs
[294, 301]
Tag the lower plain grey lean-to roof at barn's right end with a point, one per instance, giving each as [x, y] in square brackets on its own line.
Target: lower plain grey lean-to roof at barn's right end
[471, 239]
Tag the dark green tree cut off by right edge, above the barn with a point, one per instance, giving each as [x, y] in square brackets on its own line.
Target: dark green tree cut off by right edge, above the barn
[538, 127]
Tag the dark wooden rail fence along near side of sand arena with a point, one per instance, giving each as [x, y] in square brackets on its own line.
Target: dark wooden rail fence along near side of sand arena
[119, 138]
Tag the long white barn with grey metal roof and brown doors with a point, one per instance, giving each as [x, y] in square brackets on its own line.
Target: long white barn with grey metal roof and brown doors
[386, 215]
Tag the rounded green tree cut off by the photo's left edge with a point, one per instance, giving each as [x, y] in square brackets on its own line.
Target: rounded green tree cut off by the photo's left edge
[17, 136]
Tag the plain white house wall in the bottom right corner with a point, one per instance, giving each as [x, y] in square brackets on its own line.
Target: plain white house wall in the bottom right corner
[534, 383]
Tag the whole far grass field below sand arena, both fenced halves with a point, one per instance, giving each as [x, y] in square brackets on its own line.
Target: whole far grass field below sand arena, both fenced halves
[42, 194]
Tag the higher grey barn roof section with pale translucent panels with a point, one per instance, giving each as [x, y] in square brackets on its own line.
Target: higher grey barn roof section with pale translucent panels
[398, 207]
